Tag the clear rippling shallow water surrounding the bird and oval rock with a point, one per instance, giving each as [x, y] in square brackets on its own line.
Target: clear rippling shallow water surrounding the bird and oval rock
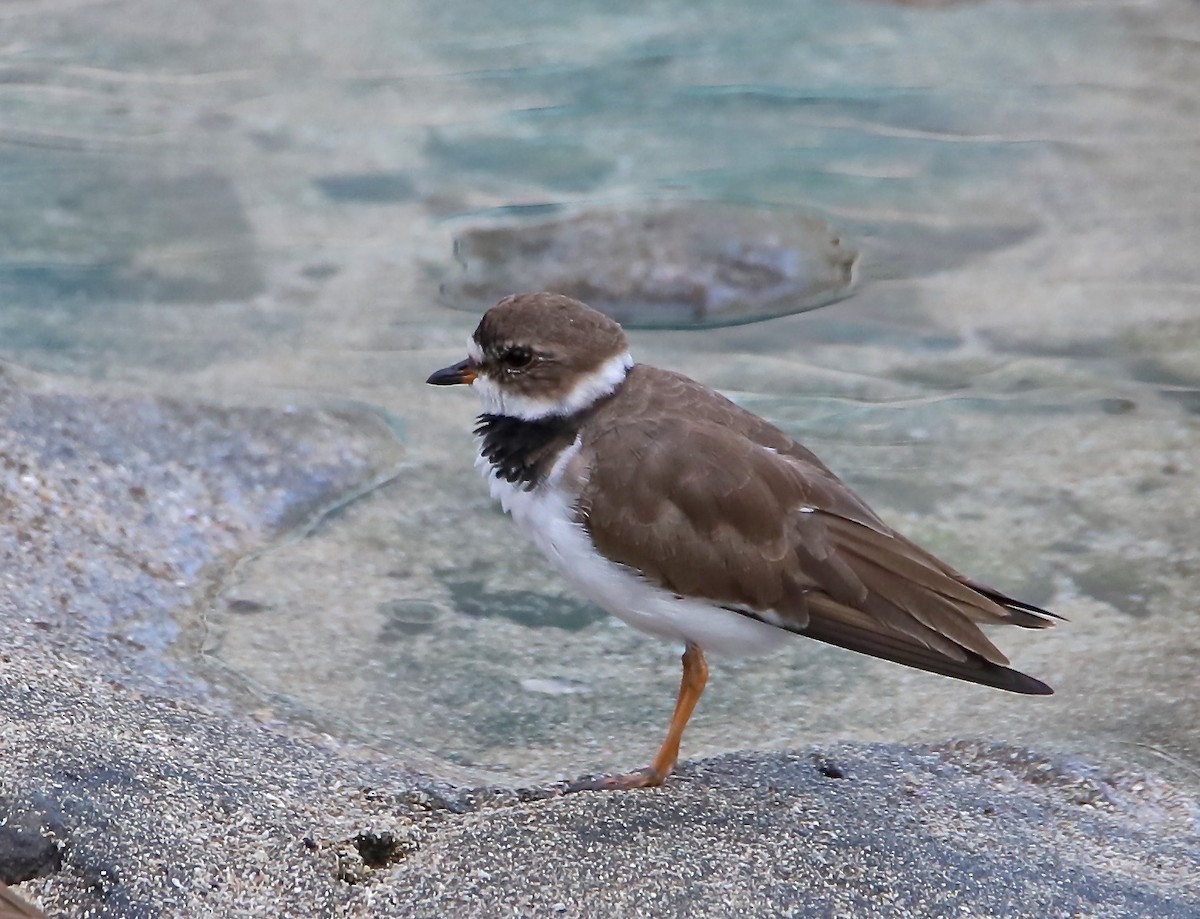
[251, 202]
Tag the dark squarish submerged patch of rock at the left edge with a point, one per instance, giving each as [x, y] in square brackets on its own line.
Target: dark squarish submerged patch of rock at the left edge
[86, 230]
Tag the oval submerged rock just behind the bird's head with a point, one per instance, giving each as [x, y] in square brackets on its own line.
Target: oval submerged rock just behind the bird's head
[680, 266]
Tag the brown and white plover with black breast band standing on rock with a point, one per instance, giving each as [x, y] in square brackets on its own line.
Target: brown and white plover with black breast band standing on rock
[697, 521]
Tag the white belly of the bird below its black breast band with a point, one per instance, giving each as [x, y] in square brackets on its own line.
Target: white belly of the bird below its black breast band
[548, 516]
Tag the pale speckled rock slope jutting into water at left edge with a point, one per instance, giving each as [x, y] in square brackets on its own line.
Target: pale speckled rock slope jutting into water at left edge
[119, 510]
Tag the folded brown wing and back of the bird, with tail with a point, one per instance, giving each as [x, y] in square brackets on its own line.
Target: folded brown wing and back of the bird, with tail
[731, 510]
